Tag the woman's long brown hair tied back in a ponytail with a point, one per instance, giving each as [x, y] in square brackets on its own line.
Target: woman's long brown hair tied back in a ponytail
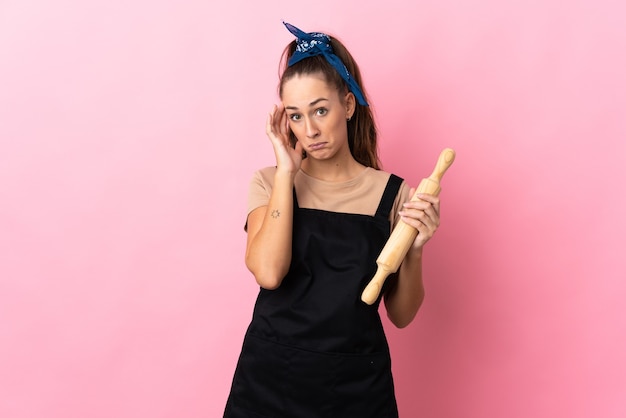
[362, 132]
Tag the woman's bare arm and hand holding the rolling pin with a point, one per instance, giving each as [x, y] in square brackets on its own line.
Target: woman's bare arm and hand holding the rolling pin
[404, 299]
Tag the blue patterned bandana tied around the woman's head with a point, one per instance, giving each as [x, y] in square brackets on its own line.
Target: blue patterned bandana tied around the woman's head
[315, 43]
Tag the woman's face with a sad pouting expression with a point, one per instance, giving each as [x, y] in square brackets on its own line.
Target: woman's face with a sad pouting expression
[318, 116]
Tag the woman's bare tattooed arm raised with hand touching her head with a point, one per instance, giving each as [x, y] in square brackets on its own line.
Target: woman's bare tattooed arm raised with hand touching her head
[268, 249]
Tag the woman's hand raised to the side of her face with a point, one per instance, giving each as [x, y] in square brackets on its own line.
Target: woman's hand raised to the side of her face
[288, 158]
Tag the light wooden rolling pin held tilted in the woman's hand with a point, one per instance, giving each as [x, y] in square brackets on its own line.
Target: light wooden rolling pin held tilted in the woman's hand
[403, 234]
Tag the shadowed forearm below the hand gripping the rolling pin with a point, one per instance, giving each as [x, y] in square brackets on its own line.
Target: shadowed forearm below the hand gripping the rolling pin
[404, 299]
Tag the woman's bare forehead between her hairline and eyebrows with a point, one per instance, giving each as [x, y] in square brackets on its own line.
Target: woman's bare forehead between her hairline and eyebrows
[301, 90]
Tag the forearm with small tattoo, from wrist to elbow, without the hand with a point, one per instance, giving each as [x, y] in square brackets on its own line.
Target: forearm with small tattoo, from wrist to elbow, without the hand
[268, 254]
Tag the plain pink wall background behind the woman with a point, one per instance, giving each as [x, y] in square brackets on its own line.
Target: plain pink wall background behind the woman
[129, 131]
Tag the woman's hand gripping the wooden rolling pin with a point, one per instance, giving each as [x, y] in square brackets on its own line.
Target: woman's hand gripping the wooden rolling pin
[423, 215]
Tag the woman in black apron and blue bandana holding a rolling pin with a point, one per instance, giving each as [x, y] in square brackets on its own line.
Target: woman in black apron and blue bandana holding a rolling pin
[317, 222]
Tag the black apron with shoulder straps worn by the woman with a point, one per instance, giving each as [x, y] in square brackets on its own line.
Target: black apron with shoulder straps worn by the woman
[313, 348]
